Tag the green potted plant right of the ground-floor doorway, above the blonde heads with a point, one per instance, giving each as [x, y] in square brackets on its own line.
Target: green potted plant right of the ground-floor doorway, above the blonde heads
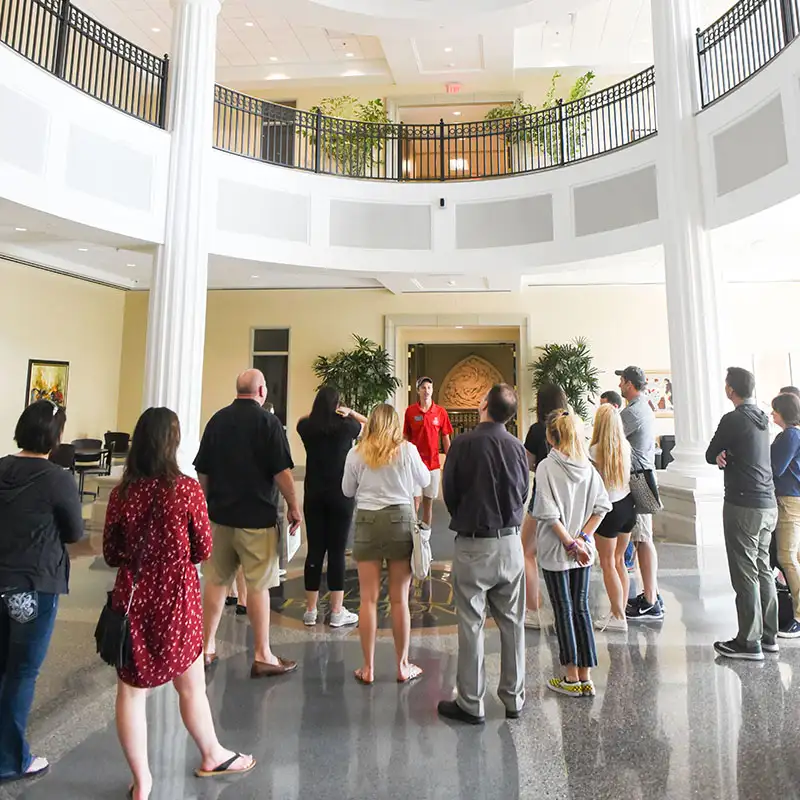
[570, 366]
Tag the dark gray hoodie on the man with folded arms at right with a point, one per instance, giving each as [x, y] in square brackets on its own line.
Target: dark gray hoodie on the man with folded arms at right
[743, 435]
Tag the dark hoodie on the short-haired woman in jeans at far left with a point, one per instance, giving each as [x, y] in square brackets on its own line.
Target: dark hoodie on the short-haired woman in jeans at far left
[40, 512]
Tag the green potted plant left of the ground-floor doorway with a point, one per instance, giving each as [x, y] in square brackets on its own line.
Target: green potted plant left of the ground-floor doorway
[364, 375]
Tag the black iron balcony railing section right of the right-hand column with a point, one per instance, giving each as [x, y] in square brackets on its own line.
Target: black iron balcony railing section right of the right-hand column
[742, 42]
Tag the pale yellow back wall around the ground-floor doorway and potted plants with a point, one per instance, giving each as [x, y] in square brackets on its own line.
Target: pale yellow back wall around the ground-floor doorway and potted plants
[321, 323]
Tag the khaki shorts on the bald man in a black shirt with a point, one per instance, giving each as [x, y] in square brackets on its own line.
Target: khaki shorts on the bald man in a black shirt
[255, 549]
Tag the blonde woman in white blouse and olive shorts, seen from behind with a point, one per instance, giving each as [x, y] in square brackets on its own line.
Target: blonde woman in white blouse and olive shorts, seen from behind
[381, 472]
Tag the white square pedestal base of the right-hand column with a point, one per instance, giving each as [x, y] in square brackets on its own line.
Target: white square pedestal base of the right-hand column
[692, 511]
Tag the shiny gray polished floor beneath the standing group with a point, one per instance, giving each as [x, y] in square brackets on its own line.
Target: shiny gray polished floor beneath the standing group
[668, 721]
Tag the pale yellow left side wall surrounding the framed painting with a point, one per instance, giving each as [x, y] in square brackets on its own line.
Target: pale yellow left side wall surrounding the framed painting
[54, 317]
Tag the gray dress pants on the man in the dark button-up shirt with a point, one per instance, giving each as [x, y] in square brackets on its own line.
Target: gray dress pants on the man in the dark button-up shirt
[490, 572]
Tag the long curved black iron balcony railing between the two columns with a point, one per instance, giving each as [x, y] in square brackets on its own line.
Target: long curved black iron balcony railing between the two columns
[567, 132]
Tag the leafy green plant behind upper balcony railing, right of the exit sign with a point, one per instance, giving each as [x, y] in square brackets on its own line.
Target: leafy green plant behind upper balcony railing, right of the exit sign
[547, 128]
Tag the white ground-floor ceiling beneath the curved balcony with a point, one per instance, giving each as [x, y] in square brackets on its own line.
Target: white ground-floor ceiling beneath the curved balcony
[761, 248]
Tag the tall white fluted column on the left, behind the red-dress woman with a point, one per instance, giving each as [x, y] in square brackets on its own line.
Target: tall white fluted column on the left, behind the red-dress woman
[177, 314]
